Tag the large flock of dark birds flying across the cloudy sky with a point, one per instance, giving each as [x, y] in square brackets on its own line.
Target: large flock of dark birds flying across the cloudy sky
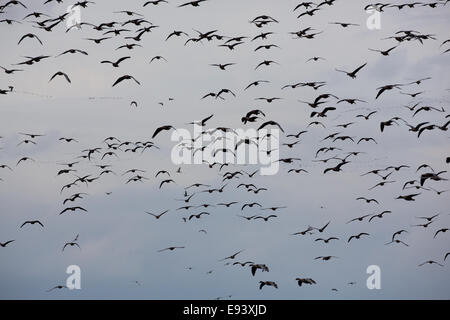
[336, 140]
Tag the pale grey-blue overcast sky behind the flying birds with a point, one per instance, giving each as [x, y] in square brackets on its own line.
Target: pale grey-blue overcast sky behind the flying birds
[119, 241]
